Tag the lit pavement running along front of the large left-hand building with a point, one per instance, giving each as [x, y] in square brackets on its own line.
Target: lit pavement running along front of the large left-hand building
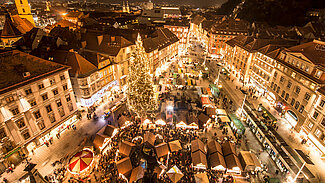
[67, 145]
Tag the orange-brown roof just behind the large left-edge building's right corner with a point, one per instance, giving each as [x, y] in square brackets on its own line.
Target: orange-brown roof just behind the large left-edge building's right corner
[79, 65]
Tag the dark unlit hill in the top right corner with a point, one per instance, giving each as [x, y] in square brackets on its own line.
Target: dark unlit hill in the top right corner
[274, 12]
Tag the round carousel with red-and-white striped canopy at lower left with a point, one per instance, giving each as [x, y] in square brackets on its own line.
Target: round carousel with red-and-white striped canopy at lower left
[81, 164]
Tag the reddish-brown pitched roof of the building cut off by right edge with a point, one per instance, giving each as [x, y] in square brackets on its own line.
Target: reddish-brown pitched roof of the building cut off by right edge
[314, 51]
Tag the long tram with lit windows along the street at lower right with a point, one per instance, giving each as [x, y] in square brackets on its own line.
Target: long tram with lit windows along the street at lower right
[281, 153]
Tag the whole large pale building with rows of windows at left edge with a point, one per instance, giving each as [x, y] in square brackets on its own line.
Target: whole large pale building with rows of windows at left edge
[37, 103]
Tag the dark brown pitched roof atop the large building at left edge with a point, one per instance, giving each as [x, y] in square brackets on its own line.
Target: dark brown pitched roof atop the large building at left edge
[14, 63]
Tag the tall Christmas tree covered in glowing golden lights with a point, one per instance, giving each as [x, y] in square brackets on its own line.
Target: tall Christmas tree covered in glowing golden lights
[140, 92]
